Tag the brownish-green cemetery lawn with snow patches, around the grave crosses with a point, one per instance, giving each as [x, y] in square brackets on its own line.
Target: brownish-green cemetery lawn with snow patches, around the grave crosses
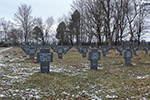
[71, 79]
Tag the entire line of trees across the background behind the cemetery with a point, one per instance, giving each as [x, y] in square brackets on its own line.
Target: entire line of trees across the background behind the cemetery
[90, 22]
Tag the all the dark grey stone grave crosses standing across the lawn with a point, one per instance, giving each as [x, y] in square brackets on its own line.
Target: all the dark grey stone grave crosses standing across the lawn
[45, 56]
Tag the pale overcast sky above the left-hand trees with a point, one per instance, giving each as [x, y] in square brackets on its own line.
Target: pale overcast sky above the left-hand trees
[40, 8]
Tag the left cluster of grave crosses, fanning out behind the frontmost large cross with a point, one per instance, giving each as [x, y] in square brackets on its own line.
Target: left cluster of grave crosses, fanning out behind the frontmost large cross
[45, 56]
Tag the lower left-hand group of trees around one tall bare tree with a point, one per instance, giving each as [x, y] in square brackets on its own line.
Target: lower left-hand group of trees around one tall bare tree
[26, 28]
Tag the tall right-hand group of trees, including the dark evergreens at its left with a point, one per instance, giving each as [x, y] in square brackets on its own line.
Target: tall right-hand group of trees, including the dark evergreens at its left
[104, 22]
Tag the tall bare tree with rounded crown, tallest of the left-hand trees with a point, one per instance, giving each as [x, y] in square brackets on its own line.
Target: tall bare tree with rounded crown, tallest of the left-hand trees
[24, 20]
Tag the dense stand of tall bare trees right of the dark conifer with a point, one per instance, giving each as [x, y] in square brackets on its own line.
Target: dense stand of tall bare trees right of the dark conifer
[110, 20]
